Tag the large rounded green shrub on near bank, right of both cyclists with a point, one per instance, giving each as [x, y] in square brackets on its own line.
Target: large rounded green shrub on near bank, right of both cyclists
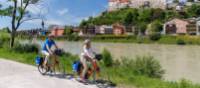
[148, 66]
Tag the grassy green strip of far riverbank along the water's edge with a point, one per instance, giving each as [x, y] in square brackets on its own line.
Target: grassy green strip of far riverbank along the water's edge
[161, 39]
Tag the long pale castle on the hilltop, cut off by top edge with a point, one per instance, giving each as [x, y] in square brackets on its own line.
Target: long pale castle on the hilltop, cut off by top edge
[118, 4]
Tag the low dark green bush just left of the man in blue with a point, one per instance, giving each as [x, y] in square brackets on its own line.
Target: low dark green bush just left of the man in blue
[26, 48]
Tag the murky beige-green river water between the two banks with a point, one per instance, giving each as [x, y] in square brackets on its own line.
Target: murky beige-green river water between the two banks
[178, 61]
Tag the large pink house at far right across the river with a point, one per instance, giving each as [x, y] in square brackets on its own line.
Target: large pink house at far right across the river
[180, 27]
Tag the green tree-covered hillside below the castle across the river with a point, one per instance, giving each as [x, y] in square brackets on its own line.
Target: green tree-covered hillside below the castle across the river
[138, 20]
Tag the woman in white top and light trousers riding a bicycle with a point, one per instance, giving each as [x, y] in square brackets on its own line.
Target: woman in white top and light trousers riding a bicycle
[87, 55]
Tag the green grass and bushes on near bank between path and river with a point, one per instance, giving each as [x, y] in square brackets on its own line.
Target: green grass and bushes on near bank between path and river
[138, 72]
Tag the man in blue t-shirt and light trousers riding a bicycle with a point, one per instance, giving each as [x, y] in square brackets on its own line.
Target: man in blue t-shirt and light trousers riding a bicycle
[46, 49]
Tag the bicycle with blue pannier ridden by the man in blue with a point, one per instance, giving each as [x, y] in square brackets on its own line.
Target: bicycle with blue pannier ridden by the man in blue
[50, 66]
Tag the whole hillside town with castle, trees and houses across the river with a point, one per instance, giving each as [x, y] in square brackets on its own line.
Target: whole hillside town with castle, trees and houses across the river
[183, 24]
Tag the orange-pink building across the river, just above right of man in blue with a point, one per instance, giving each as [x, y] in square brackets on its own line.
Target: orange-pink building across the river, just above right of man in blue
[57, 31]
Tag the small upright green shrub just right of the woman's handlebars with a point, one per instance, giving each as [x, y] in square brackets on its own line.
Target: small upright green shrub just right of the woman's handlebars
[107, 58]
